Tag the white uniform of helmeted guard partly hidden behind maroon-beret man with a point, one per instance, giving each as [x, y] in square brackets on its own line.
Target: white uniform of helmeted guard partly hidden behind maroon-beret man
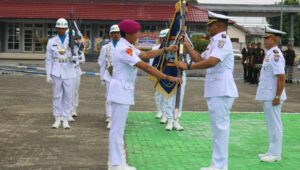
[105, 61]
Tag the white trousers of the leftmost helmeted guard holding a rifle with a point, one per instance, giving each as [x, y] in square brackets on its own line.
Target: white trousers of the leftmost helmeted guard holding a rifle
[62, 96]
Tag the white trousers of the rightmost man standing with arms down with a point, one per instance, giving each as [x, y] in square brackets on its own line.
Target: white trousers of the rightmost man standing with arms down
[273, 118]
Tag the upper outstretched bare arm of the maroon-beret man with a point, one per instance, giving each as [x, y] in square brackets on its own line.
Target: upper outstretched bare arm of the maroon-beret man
[154, 53]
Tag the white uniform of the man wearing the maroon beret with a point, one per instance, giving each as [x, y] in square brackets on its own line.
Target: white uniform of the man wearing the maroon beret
[121, 94]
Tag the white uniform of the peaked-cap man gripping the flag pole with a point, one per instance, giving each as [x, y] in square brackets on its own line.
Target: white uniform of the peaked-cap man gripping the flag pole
[220, 91]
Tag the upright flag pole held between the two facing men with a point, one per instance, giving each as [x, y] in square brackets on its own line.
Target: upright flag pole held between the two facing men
[182, 54]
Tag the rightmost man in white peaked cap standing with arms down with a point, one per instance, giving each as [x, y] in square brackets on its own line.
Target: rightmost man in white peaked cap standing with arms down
[271, 91]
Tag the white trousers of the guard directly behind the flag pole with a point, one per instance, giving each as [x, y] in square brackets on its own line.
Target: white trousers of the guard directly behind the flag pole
[169, 104]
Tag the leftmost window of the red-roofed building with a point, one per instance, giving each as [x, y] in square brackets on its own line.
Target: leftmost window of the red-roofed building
[13, 36]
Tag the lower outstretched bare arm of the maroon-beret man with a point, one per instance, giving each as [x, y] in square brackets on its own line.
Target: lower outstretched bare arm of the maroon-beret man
[159, 75]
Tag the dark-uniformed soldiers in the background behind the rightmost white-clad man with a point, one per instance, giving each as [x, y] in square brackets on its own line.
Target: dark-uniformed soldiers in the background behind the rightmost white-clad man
[252, 59]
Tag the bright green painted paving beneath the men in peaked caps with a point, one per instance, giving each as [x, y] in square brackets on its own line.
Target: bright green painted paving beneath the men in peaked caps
[150, 147]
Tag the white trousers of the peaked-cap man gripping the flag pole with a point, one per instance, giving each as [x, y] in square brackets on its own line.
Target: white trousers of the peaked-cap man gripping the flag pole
[219, 110]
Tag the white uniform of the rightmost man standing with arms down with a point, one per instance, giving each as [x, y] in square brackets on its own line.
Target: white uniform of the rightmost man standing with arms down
[273, 65]
